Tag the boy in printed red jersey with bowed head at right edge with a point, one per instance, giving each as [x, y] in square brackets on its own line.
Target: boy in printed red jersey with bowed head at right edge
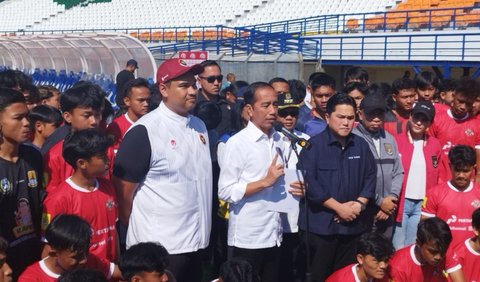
[455, 200]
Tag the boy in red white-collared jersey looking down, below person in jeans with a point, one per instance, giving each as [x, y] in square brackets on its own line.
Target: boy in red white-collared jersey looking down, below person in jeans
[423, 261]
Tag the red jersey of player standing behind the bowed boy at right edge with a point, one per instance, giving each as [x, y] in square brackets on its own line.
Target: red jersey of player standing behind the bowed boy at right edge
[450, 132]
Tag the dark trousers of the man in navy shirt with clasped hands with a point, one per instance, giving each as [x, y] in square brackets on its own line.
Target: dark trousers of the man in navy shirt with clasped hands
[328, 253]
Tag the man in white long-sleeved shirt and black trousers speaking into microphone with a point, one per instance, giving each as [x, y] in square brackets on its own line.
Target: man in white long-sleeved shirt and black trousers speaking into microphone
[254, 165]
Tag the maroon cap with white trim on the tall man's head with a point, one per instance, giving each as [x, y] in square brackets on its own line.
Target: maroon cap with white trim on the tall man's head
[173, 68]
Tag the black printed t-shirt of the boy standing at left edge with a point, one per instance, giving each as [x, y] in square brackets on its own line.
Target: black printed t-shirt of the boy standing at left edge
[21, 196]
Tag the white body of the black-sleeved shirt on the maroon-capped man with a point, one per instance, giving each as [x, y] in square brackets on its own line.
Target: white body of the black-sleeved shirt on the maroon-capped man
[173, 203]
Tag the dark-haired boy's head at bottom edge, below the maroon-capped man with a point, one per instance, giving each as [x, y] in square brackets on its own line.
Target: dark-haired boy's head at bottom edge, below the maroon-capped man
[145, 262]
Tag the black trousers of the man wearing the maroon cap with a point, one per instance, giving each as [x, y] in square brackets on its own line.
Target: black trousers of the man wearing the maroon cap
[186, 267]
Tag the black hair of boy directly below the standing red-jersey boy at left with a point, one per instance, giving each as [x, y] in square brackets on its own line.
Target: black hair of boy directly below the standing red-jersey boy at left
[69, 232]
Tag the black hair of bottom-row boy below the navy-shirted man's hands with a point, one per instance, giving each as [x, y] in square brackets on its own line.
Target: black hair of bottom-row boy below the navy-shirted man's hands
[376, 245]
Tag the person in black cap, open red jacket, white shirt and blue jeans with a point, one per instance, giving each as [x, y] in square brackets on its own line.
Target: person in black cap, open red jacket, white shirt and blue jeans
[421, 152]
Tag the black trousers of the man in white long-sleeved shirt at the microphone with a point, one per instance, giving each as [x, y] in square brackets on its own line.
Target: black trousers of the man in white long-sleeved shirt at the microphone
[265, 262]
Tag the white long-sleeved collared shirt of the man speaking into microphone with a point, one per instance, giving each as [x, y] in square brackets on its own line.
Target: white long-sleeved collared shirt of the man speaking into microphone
[247, 157]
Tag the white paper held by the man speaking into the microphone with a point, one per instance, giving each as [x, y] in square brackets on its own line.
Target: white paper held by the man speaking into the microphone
[279, 199]
